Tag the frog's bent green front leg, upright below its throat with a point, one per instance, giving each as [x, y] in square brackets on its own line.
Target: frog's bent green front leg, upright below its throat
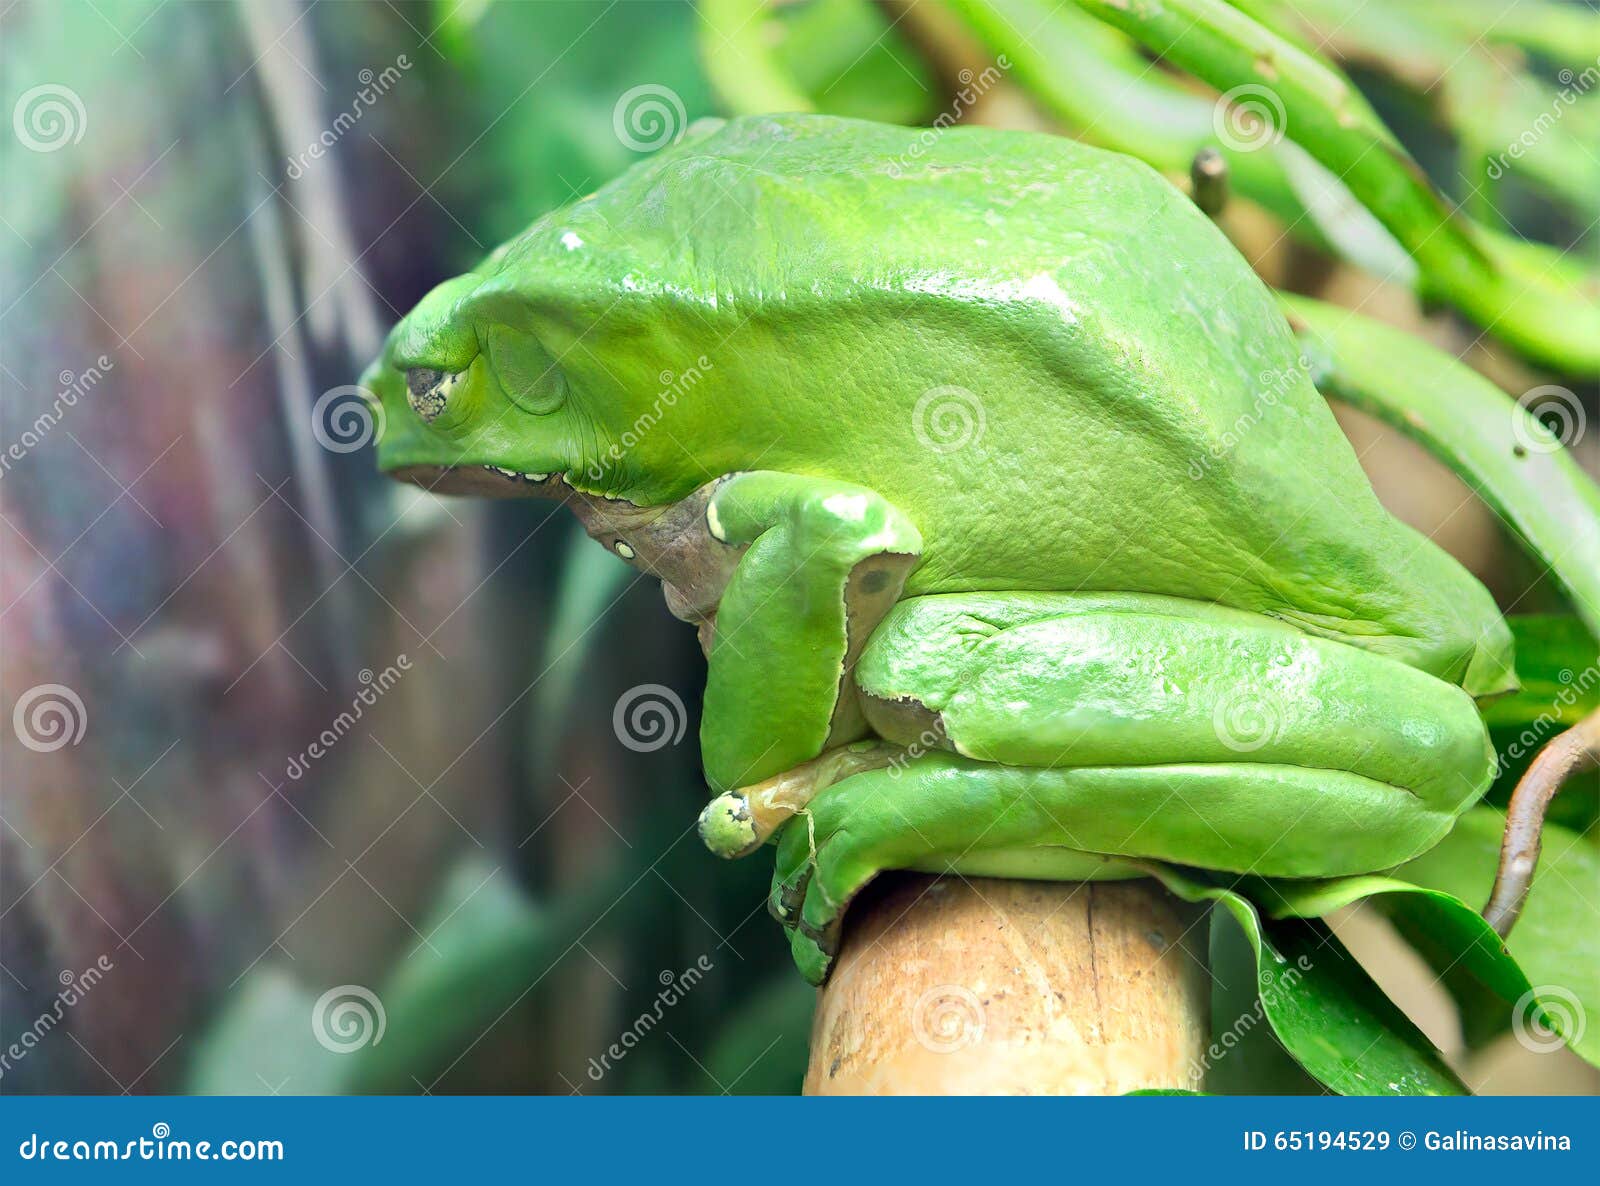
[825, 563]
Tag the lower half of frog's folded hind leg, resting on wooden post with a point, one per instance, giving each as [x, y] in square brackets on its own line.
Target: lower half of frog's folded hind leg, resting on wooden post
[943, 812]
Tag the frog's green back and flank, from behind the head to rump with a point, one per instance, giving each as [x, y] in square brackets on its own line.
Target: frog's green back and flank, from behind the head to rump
[1046, 355]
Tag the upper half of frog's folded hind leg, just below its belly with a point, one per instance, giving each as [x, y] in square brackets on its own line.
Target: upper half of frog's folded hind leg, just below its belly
[1097, 681]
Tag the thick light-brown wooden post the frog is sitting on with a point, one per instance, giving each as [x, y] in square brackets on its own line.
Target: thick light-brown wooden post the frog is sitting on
[980, 987]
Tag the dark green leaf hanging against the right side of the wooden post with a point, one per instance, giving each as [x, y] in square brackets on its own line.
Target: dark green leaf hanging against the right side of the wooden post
[1324, 1008]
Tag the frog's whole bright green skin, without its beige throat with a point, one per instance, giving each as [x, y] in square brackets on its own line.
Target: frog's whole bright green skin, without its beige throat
[1150, 523]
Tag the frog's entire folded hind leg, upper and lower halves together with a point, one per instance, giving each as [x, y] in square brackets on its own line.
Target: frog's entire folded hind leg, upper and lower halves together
[1052, 734]
